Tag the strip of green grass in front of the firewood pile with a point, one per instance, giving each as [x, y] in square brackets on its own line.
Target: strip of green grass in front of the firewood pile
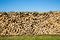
[44, 37]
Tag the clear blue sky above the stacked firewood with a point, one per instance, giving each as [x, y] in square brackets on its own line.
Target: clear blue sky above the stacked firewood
[29, 5]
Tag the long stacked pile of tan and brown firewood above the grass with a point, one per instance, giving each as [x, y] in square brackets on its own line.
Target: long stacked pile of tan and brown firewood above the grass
[29, 23]
